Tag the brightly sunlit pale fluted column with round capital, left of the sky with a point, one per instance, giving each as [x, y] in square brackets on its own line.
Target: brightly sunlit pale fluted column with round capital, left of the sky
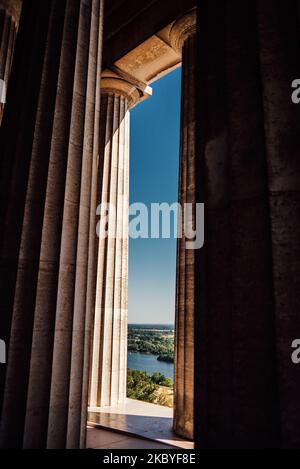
[109, 360]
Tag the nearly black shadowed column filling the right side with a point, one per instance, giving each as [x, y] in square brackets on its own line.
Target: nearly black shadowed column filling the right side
[248, 274]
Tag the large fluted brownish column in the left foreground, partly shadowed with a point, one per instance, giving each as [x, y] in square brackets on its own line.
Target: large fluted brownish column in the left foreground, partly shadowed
[49, 168]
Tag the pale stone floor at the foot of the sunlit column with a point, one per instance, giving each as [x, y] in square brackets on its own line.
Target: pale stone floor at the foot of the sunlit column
[131, 420]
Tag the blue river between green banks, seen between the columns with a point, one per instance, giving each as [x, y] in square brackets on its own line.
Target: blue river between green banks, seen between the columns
[150, 364]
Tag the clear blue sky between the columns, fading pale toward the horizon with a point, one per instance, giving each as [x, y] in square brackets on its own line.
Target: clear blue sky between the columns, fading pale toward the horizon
[155, 139]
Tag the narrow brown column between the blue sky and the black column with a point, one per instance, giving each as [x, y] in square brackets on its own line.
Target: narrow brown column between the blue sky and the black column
[183, 40]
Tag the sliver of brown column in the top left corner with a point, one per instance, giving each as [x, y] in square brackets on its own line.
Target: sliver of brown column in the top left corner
[9, 18]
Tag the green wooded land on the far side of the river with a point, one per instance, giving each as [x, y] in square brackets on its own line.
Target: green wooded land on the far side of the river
[159, 342]
